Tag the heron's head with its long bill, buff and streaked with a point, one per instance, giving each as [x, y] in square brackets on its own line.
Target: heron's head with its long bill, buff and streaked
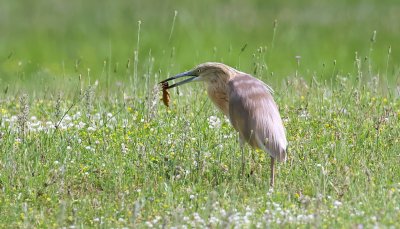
[210, 73]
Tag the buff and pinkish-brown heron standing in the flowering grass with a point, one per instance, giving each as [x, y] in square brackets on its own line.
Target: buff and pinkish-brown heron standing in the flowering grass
[247, 102]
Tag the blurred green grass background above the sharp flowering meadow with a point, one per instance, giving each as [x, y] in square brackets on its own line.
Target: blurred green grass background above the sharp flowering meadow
[47, 43]
